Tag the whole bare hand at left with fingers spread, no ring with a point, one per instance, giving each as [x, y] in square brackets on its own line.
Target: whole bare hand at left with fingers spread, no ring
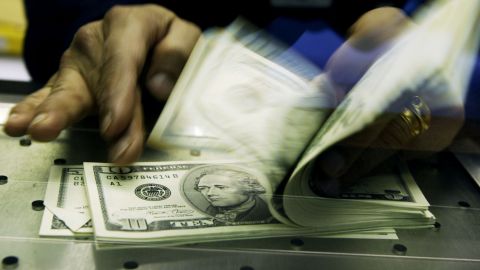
[101, 72]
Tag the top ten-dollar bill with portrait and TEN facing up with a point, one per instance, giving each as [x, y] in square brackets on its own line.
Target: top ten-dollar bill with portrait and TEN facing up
[189, 202]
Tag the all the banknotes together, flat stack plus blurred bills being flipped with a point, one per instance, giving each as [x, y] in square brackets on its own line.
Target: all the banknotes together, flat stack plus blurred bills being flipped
[246, 110]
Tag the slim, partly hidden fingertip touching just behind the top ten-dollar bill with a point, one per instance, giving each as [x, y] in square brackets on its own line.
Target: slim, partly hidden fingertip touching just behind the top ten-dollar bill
[128, 147]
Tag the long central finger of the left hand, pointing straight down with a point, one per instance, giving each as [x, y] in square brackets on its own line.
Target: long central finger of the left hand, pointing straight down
[123, 61]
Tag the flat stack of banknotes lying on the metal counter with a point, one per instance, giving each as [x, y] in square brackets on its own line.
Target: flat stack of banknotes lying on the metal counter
[189, 202]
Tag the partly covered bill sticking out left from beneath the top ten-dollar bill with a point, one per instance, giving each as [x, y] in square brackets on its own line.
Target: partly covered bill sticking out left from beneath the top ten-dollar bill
[66, 211]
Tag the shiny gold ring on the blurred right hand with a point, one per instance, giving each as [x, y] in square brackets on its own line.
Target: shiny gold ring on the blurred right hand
[417, 116]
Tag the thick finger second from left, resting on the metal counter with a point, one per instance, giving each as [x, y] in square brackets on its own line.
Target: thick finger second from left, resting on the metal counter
[68, 101]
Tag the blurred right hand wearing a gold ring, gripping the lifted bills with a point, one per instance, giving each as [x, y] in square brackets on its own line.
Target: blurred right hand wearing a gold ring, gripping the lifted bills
[420, 124]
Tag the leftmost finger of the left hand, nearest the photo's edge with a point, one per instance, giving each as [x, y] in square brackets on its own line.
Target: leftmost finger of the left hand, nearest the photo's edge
[22, 114]
